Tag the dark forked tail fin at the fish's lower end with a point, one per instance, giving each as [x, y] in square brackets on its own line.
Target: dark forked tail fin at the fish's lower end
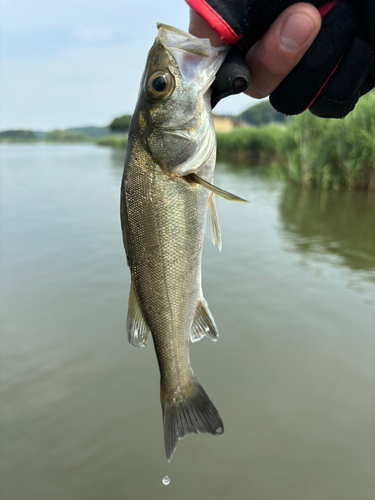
[196, 414]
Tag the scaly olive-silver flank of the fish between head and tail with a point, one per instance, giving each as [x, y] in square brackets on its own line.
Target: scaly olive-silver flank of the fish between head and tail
[168, 283]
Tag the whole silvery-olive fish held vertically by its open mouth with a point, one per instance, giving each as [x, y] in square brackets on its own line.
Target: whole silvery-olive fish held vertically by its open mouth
[167, 193]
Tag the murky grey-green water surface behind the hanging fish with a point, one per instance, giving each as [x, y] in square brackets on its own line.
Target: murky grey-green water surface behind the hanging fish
[293, 295]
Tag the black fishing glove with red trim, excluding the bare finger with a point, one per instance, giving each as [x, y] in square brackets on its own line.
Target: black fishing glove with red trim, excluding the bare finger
[337, 69]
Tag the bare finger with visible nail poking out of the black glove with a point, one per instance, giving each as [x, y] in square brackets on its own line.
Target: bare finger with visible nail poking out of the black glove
[281, 48]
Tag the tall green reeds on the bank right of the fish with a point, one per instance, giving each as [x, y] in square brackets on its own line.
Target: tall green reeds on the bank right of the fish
[312, 151]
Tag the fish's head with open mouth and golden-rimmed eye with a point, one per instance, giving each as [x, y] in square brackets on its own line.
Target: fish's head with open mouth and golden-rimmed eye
[174, 106]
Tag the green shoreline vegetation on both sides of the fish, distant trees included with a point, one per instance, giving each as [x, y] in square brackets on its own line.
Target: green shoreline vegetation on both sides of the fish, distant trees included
[310, 151]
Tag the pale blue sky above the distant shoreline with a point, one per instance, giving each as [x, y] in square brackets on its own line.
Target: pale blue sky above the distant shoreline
[67, 63]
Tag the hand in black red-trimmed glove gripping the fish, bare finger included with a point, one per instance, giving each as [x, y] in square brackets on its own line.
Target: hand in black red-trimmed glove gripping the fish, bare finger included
[325, 71]
